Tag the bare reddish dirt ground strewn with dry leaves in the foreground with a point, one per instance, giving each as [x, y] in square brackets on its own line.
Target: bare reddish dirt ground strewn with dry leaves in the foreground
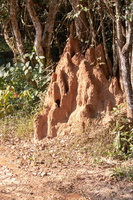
[36, 171]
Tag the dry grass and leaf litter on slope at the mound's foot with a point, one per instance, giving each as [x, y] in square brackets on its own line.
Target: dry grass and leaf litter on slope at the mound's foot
[76, 146]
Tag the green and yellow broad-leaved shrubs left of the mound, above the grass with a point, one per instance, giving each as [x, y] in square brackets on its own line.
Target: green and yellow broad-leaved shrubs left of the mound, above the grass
[20, 84]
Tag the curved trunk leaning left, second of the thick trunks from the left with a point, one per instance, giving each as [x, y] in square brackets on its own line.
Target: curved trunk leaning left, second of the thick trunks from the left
[38, 28]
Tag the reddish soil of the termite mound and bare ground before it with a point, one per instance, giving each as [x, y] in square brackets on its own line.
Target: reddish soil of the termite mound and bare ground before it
[63, 168]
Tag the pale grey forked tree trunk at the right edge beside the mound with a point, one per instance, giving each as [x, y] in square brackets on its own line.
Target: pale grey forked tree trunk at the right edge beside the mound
[124, 49]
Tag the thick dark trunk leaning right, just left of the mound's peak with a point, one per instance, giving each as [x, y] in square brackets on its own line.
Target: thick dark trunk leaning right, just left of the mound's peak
[48, 31]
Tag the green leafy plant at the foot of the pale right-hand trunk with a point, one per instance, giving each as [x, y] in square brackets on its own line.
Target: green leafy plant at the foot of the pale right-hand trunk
[123, 131]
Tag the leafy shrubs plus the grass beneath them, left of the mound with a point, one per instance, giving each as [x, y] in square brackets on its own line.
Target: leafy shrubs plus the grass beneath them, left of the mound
[21, 85]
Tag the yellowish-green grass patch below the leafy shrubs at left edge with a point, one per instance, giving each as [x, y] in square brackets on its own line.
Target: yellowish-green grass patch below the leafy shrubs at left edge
[17, 126]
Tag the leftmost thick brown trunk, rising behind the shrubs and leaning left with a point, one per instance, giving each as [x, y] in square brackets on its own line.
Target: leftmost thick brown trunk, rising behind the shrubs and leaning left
[15, 28]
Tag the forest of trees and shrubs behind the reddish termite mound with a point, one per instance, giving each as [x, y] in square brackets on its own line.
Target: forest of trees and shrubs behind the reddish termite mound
[33, 36]
